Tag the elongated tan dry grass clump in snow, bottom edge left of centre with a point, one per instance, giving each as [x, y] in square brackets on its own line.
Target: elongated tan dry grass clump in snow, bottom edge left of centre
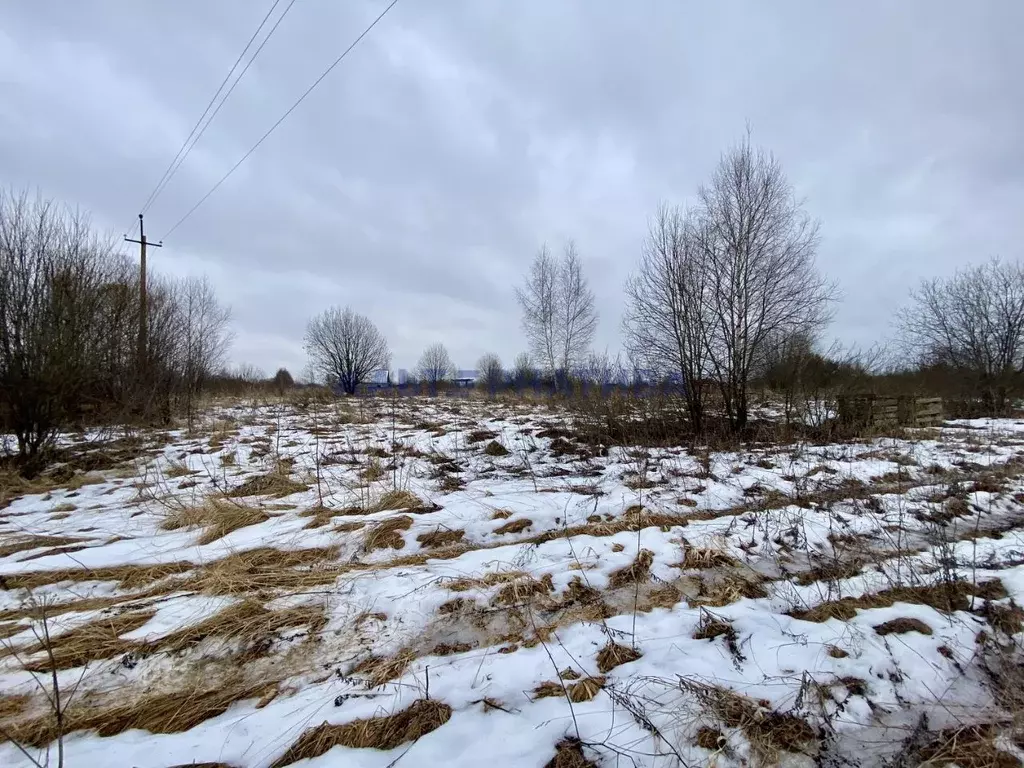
[386, 733]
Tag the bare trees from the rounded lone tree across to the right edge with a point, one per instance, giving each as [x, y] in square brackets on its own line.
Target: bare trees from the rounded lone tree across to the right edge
[727, 294]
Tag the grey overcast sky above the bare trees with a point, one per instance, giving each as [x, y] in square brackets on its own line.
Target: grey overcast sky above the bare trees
[418, 181]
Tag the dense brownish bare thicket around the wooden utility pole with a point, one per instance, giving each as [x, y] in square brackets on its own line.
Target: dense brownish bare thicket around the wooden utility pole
[70, 312]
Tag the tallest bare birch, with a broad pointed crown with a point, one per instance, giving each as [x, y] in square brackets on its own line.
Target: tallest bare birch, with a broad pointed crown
[757, 246]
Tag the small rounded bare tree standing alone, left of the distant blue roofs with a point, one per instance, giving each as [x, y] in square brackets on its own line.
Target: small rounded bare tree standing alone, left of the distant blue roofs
[346, 348]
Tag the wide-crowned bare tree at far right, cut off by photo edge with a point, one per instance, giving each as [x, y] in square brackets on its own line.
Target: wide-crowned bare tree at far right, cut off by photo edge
[973, 323]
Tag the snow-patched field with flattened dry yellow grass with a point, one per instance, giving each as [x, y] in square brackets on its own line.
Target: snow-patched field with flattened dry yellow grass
[462, 581]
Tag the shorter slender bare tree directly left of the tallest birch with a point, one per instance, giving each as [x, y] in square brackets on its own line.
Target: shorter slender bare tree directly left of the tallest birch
[668, 320]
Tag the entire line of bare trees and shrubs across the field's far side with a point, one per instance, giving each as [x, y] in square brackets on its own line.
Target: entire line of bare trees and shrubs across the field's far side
[727, 294]
